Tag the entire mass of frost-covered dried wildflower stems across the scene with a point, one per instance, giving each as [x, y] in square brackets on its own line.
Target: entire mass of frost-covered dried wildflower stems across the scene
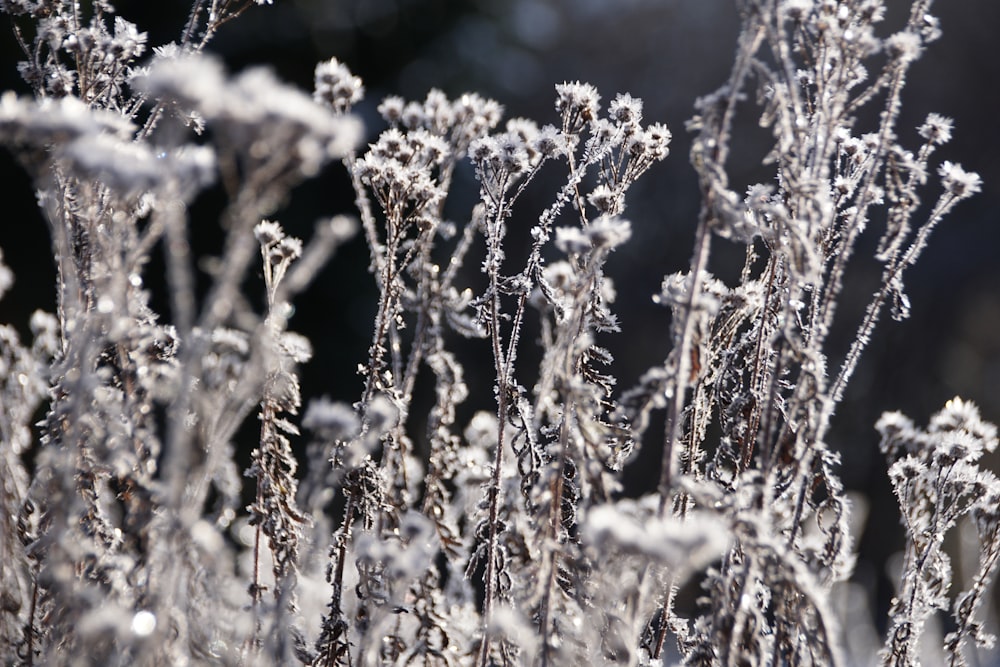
[507, 539]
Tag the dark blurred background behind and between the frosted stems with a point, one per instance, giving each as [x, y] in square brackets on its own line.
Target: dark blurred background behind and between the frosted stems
[668, 52]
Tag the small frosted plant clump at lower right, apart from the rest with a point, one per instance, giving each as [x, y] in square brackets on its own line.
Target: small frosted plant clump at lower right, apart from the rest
[937, 481]
